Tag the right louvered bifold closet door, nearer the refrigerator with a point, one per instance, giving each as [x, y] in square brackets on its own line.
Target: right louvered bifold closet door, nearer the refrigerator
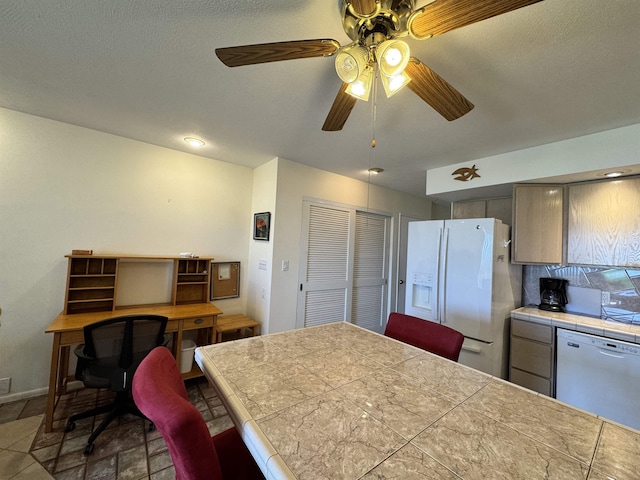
[369, 271]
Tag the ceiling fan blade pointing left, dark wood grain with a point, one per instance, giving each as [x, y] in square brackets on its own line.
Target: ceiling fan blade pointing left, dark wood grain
[275, 52]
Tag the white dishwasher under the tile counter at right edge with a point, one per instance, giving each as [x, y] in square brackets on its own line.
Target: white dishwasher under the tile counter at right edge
[599, 375]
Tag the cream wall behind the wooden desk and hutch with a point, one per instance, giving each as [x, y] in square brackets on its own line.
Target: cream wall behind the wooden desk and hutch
[64, 187]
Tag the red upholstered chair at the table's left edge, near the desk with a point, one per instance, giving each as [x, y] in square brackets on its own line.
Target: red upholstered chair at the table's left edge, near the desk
[160, 393]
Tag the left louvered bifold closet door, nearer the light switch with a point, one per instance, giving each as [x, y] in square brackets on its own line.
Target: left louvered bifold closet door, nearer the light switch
[323, 295]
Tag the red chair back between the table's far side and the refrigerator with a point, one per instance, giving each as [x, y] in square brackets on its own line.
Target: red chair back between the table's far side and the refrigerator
[430, 336]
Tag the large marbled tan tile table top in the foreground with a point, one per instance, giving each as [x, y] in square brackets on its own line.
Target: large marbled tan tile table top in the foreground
[340, 402]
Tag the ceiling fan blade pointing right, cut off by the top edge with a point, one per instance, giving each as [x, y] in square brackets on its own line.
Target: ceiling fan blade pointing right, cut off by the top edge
[442, 16]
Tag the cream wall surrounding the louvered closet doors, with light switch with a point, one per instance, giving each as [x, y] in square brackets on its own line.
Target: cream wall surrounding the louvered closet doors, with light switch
[295, 182]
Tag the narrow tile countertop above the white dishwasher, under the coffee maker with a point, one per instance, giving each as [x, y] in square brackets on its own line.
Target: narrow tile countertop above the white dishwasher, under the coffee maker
[606, 328]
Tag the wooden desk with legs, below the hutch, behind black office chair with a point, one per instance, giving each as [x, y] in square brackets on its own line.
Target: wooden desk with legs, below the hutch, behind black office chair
[68, 331]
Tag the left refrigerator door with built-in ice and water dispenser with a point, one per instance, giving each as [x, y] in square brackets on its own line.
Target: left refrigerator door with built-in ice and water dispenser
[423, 247]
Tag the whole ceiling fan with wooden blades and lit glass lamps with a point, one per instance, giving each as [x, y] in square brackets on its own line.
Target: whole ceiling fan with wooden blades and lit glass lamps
[376, 28]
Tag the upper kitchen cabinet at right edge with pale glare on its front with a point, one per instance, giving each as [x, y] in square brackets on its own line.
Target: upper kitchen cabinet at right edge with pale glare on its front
[604, 223]
